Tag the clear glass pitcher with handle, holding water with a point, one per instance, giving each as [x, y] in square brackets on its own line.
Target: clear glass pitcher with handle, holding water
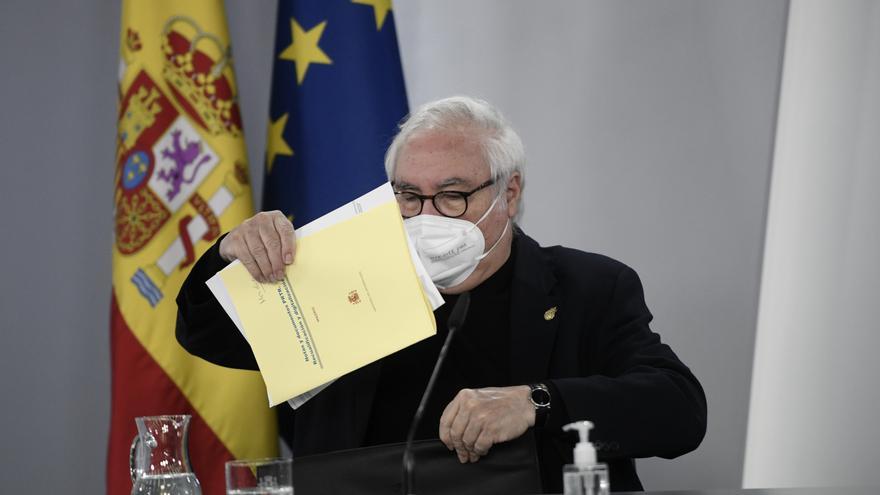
[159, 460]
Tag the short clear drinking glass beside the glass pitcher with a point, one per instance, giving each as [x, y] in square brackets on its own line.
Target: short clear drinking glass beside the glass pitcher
[259, 477]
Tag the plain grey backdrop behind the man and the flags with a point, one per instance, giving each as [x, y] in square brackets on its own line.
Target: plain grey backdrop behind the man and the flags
[649, 132]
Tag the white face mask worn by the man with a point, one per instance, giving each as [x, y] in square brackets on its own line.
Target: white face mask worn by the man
[450, 248]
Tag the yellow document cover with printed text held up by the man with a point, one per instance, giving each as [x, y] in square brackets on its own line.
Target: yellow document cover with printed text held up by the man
[350, 297]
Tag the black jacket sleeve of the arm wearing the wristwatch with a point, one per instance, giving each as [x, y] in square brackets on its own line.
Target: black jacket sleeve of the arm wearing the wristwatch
[641, 398]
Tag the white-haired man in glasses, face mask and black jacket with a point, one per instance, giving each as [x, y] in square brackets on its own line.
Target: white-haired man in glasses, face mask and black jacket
[553, 334]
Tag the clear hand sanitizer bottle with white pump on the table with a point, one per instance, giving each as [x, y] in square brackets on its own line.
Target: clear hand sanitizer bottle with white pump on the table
[585, 476]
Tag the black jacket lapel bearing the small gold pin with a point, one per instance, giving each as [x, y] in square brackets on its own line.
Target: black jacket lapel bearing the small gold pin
[533, 312]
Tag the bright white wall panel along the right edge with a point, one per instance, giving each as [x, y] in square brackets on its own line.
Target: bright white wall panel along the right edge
[815, 397]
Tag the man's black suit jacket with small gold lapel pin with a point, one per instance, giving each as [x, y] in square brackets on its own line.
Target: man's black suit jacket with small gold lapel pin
[597, 350]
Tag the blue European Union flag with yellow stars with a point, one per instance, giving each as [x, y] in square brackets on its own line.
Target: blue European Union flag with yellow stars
[337, 96]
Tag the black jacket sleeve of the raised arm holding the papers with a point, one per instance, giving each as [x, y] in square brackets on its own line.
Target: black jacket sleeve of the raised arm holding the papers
[203, 327]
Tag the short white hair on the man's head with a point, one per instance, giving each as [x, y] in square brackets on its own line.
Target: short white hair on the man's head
[501, 146]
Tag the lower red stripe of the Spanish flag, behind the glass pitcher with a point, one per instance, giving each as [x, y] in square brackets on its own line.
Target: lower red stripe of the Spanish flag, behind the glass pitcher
[141, 388]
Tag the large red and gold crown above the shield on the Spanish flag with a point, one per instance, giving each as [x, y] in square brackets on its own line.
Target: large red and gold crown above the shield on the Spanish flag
[198, 69]
